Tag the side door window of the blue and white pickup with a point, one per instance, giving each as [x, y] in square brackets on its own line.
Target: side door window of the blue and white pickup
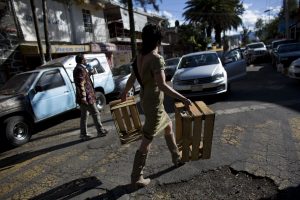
[50, 80]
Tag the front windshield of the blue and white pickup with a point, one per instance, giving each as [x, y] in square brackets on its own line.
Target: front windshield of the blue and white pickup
[19, 83]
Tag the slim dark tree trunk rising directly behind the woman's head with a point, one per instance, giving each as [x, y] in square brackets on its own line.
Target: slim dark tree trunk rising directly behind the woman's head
[143, 4]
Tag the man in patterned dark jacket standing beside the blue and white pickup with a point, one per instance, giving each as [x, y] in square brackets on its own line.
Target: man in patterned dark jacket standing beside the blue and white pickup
[86, 98]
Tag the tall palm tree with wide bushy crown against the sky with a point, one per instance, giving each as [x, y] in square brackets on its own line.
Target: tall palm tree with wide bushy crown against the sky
[221, 15]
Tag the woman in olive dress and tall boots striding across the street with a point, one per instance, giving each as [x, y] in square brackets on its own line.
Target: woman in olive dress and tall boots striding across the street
[149, 71]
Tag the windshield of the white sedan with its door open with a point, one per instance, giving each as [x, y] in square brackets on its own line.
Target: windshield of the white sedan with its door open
[199, 60]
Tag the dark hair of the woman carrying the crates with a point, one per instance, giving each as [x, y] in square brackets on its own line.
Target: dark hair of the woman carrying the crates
[151, 37]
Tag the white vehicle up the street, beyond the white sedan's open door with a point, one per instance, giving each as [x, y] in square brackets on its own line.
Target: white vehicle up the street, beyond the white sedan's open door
[256, 51]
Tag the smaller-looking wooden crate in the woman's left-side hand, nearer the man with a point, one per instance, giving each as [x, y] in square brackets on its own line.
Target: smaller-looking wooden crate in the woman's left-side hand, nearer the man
[127, 119]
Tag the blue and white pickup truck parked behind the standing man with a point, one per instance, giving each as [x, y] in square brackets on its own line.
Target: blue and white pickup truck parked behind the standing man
[34, 96]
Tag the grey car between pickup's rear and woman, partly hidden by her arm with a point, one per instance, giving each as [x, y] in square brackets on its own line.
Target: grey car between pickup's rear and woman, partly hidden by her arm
[121, 74]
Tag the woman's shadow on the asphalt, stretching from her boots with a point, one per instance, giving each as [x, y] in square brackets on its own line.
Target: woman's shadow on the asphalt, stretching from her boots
[121, 190]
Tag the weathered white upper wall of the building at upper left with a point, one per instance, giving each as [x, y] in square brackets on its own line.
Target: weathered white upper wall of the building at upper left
[65, 25]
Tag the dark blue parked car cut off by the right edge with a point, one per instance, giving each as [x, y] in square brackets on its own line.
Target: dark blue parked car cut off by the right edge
[285, 55]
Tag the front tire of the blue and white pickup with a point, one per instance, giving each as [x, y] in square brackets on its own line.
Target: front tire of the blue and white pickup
[18, 130]
